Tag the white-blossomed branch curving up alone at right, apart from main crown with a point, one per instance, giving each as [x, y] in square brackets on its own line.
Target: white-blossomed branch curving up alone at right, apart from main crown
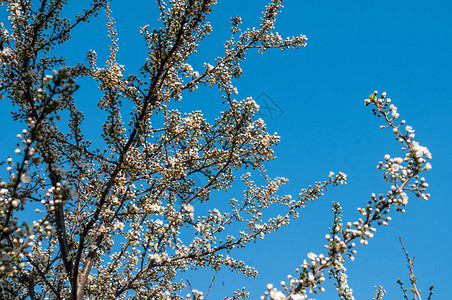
[403, 173]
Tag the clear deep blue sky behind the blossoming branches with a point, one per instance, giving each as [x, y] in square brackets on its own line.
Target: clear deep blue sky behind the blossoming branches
[355, 47]
